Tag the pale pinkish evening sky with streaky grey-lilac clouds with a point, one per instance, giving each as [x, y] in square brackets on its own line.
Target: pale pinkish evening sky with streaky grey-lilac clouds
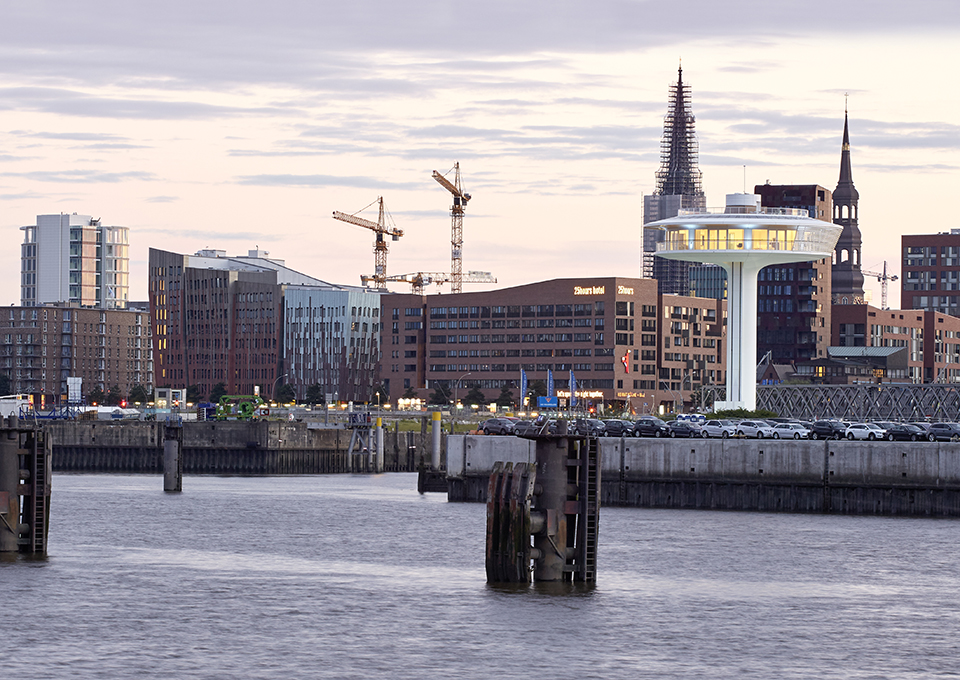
[240, 125]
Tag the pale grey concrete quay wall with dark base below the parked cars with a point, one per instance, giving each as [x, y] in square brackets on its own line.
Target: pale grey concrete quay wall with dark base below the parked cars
[885, 478]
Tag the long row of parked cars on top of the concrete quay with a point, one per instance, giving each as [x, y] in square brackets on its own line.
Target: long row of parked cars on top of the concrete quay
[651, 426]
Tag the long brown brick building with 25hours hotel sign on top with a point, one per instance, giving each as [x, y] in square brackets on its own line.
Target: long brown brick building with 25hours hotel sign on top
[623, 342]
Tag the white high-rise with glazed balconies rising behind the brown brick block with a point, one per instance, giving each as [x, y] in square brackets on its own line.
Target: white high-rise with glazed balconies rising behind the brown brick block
[74, 259]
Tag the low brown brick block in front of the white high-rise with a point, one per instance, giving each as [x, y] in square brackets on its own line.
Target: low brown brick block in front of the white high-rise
[43, 346]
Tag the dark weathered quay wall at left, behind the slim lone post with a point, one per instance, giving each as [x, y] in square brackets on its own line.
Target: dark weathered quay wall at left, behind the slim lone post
[253, 448]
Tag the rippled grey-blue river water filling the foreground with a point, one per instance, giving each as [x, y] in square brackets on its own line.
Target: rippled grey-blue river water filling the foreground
[361, 577]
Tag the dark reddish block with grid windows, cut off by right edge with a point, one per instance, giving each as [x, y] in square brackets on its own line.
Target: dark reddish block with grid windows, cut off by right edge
[931, 272]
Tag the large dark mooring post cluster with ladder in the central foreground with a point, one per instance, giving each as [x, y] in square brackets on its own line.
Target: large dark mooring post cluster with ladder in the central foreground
[557, 503]
